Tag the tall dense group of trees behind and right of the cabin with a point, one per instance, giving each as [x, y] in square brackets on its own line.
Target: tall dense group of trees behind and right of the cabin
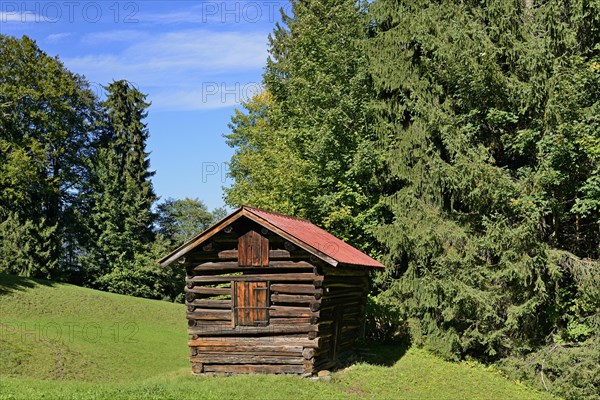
[459, 142]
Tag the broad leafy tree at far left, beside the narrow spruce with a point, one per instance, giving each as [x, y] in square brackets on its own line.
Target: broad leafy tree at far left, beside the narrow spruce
[47, 117]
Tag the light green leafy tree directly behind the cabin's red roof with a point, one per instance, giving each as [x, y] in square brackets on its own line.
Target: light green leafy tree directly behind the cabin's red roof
[306, 146]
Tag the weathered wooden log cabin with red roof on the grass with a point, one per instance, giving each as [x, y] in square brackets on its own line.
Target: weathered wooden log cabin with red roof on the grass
[268, 293]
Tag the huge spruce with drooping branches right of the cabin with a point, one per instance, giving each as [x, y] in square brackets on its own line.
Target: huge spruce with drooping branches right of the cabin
[488, 113]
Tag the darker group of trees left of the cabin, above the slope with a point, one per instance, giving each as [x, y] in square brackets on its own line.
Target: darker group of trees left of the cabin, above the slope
[76, 197]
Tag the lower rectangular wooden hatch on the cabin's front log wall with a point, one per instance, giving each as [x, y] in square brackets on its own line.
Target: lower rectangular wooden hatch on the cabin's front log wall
[251, 303]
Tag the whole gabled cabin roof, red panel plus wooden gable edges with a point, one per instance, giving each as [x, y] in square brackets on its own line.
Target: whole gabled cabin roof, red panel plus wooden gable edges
[302, 232]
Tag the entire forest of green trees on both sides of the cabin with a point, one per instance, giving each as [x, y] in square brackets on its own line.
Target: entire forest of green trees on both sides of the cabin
[458, 142]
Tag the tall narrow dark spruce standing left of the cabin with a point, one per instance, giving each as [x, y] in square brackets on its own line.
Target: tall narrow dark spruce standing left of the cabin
[121, 193]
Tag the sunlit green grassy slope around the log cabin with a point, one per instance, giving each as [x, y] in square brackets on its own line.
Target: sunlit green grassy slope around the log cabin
[113, 346]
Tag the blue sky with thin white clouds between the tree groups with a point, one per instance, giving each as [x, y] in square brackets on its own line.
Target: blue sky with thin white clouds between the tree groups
[196, 60]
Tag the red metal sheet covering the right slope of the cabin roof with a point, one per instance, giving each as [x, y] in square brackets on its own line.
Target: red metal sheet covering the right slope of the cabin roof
[318, 238]
